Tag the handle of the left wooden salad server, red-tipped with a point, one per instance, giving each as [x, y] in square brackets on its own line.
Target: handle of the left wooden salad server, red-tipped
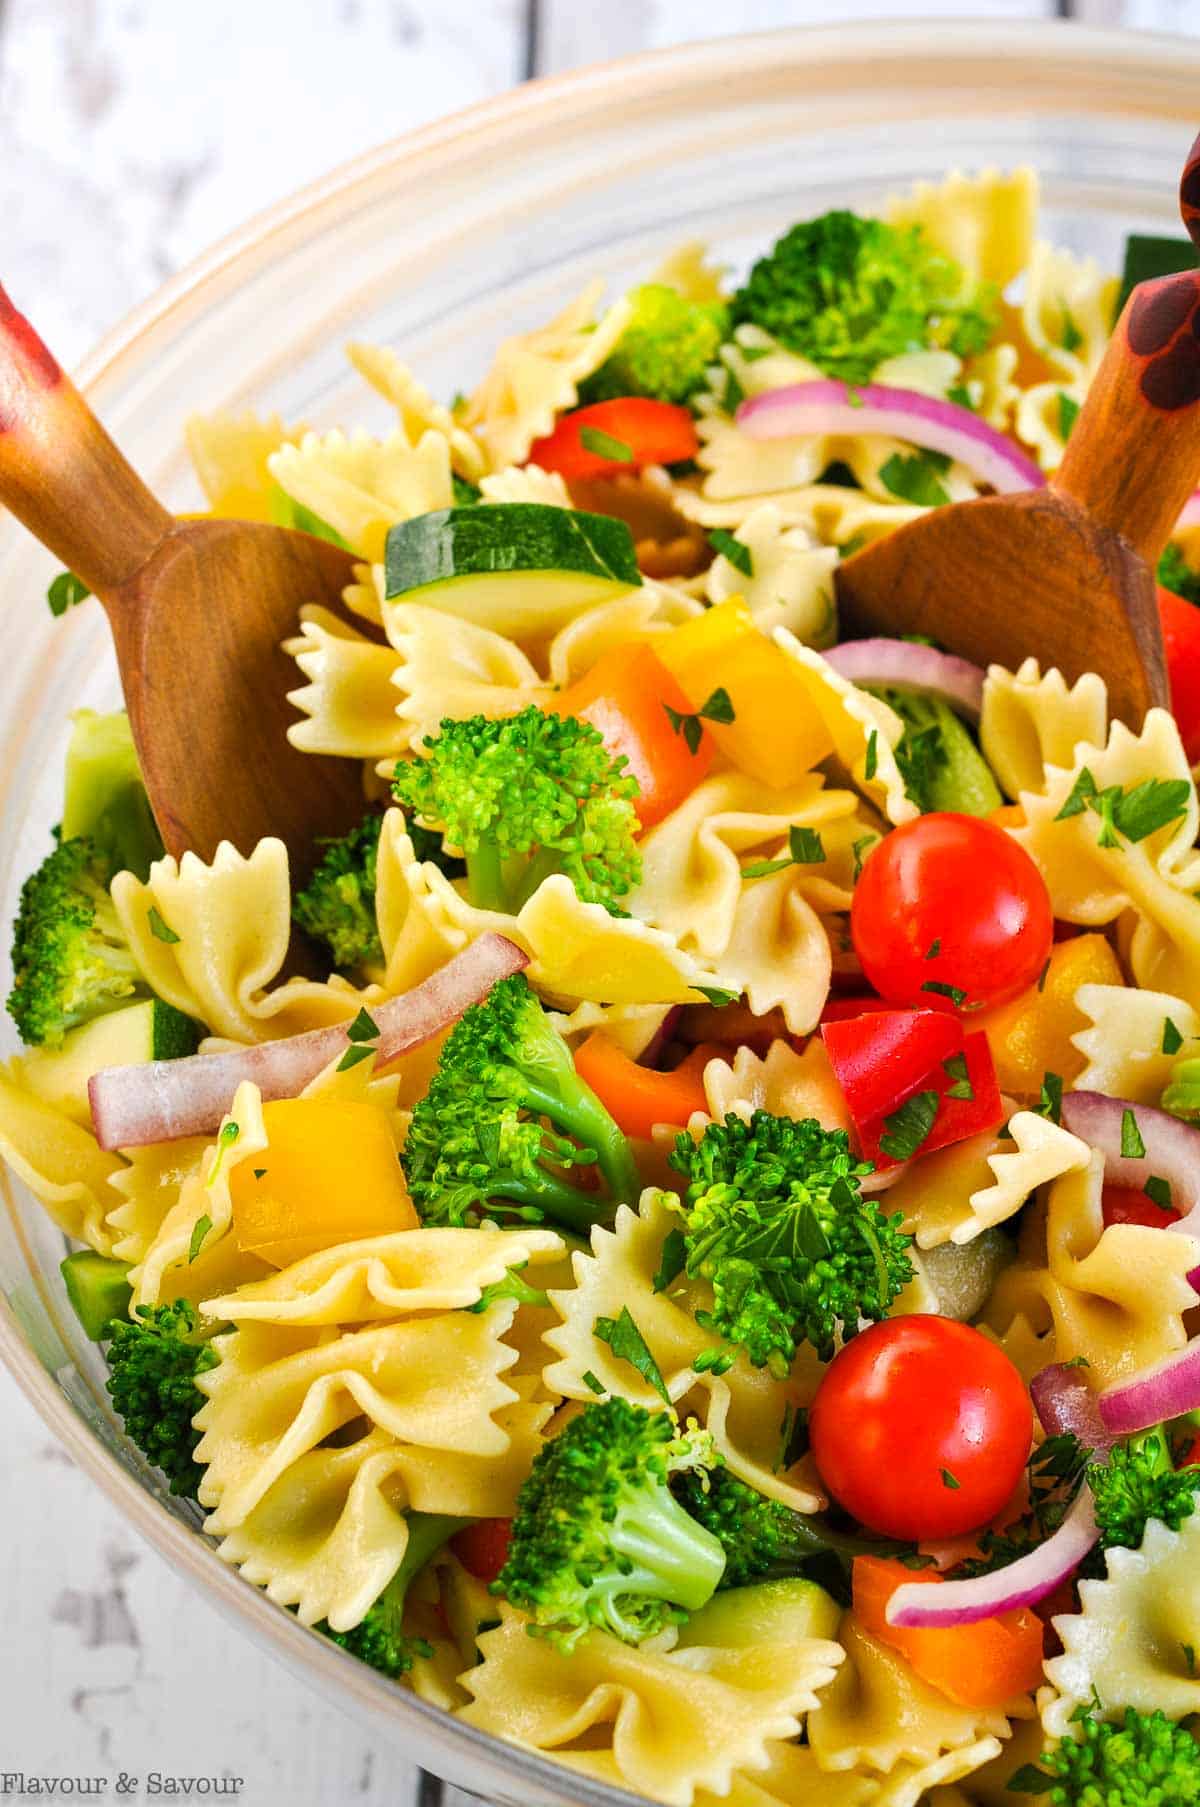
[61, 473]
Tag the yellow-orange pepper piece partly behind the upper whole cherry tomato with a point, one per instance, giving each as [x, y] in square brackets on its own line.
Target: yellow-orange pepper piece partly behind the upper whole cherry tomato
[1033, 1035]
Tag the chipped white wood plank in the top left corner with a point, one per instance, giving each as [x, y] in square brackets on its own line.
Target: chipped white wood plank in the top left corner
[135, 133]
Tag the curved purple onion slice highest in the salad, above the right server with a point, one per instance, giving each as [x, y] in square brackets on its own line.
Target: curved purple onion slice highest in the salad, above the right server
[926, 422]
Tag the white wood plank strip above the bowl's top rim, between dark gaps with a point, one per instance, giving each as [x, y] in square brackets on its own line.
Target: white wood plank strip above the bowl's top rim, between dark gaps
[576, 33]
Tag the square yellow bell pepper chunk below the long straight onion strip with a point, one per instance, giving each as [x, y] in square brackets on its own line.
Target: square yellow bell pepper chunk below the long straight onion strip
[328, 1175]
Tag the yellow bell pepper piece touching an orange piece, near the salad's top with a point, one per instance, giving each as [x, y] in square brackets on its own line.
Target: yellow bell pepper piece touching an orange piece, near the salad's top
[778, 733]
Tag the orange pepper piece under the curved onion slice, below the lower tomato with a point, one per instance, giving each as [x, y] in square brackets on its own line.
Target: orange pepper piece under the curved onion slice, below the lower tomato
[980, 1665]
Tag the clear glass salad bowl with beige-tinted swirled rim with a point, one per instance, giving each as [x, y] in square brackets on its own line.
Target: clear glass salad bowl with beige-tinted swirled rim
[440, 245]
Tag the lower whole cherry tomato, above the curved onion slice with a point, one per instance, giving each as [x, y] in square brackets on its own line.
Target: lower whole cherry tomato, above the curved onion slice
[921, 1428]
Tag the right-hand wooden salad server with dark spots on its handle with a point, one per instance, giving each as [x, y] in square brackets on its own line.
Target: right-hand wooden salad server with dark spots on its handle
[1067, 574]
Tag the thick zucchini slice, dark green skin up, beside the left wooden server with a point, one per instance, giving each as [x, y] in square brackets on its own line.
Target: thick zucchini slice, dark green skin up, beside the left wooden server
[518, 568]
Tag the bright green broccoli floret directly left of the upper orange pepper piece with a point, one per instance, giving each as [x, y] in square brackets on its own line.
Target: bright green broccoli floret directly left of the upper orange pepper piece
[527, 798]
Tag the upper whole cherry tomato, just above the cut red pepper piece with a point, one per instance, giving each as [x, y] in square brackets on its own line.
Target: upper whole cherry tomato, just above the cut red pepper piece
[952, 913]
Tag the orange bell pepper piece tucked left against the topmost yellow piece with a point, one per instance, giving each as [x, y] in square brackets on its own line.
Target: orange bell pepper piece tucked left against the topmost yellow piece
[626, 698]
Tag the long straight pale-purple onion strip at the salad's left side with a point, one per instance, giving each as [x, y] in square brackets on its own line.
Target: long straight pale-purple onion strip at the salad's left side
[162, 1101]
